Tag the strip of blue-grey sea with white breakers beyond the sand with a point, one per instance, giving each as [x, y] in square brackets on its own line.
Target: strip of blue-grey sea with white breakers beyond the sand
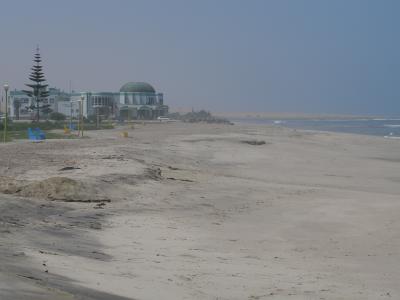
[389, 127]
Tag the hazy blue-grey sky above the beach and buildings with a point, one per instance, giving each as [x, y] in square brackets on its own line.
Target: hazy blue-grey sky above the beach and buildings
[319, 56]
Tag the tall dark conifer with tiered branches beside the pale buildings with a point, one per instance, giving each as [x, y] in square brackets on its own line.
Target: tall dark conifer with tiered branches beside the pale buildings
[38, 92]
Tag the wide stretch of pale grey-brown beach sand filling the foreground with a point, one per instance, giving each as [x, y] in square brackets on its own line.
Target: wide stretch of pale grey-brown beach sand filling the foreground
[195, 212]
